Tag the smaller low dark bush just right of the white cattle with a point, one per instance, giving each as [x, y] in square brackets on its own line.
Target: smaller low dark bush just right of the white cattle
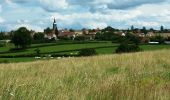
[87, 52]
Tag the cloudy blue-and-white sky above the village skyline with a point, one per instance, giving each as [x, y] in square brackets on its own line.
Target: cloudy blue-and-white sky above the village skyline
[77, 14]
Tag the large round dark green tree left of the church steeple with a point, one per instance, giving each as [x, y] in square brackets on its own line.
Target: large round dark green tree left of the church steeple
[21, 38]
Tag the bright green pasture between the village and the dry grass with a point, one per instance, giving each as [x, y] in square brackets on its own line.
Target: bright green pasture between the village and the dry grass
[105, 47]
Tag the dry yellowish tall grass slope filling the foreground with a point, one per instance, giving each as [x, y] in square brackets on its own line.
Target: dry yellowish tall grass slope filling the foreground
[137, 76]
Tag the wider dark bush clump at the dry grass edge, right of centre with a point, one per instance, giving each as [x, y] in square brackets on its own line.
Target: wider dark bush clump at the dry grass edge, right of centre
[126, 48]
